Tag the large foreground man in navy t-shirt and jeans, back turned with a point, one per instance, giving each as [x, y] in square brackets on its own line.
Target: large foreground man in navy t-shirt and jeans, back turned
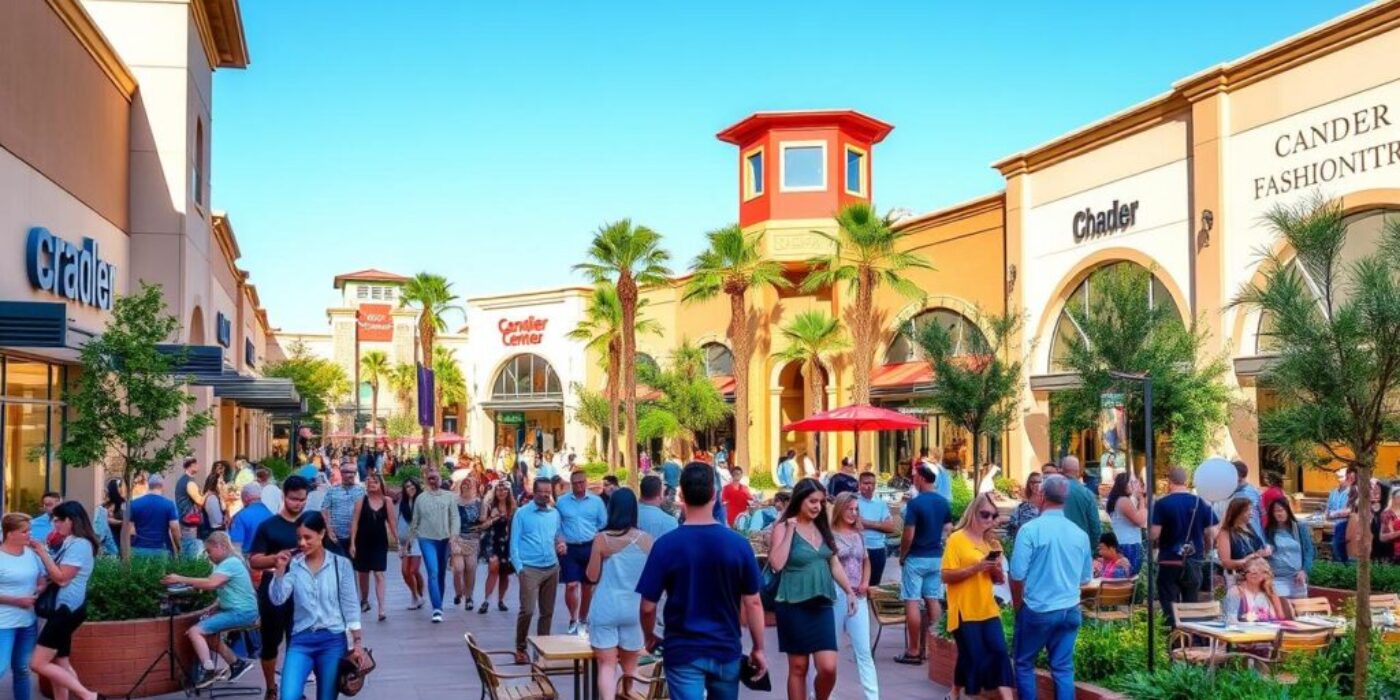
[706, 572]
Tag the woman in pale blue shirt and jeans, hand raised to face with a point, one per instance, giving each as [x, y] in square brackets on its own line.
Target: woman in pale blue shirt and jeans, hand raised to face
[325, 607]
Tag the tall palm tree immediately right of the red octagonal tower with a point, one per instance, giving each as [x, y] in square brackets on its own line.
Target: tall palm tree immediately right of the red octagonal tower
[867, 255]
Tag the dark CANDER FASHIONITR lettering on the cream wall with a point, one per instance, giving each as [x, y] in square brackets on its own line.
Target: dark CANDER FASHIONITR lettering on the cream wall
[1303, 171]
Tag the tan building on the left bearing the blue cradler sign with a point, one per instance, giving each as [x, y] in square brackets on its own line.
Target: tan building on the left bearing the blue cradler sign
[106, 142]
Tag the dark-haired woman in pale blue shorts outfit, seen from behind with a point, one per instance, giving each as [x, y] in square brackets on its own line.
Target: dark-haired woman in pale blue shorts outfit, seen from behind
[618, 558]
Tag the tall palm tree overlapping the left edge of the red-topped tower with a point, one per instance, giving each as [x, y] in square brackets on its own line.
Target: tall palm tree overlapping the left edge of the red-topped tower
[733, 265]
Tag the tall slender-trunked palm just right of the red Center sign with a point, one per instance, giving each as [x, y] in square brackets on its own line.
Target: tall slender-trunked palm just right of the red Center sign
[629, 257]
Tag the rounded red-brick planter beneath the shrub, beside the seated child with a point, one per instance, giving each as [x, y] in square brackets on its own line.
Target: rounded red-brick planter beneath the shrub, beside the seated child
[111, 656]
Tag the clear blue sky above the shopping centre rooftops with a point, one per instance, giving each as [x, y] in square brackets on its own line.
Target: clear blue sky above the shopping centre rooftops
[486, 141]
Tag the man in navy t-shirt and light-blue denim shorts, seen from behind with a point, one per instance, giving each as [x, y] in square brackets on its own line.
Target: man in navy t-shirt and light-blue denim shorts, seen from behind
[927, 521]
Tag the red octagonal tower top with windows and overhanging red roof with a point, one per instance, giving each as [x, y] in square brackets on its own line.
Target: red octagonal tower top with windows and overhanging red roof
[804, 164]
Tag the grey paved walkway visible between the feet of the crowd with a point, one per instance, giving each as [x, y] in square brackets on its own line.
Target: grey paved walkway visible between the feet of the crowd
[423, 661]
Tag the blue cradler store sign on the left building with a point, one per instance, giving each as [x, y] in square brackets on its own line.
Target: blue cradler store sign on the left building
[69, 271]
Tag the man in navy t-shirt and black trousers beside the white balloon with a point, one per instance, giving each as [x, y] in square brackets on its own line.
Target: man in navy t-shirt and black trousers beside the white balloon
[1181, 526]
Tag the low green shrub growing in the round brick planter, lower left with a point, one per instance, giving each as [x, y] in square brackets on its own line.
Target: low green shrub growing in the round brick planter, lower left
[132, 590]
